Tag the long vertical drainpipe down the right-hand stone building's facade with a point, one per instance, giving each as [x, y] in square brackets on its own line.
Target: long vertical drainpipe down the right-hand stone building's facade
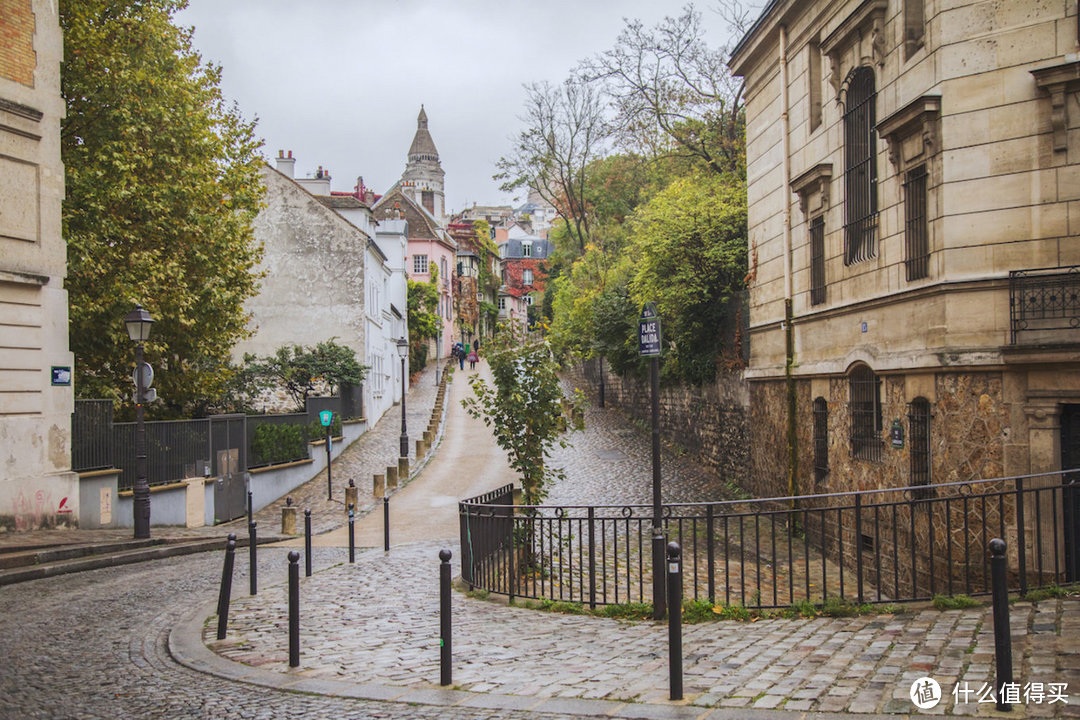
[793, 456]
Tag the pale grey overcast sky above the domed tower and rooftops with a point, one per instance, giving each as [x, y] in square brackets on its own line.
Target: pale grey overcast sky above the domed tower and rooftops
[341, 83]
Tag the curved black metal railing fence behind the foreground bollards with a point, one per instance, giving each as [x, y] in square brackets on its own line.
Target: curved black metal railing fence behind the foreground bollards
[870, 547]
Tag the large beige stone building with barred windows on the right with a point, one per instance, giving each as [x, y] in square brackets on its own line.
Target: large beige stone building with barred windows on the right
[914, 188]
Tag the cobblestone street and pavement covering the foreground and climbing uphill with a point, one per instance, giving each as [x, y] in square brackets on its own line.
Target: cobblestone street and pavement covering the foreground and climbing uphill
[103, 644]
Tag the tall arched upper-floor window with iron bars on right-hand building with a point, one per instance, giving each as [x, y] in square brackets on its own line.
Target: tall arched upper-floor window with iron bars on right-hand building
[860, 168]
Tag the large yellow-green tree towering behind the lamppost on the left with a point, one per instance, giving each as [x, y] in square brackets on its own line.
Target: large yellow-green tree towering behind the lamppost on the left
[163, 187]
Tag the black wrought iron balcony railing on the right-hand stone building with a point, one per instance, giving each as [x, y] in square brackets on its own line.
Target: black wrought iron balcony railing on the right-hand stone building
[1046, 304]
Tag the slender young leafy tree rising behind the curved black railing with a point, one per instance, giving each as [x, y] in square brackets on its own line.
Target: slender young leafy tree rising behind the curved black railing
[524, 407]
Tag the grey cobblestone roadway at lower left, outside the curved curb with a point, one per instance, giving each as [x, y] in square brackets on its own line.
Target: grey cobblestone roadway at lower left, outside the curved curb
[93, 646]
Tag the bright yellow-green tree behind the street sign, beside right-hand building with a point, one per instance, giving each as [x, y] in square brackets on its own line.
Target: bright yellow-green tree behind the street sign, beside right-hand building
[691, 255]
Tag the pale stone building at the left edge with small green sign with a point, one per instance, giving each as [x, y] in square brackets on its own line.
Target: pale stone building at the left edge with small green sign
[37, 485]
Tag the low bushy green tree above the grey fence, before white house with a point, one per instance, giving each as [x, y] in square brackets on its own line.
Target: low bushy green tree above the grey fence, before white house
[300, 371]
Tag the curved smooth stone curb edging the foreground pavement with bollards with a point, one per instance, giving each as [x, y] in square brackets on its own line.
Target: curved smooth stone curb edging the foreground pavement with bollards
[185, 645]
